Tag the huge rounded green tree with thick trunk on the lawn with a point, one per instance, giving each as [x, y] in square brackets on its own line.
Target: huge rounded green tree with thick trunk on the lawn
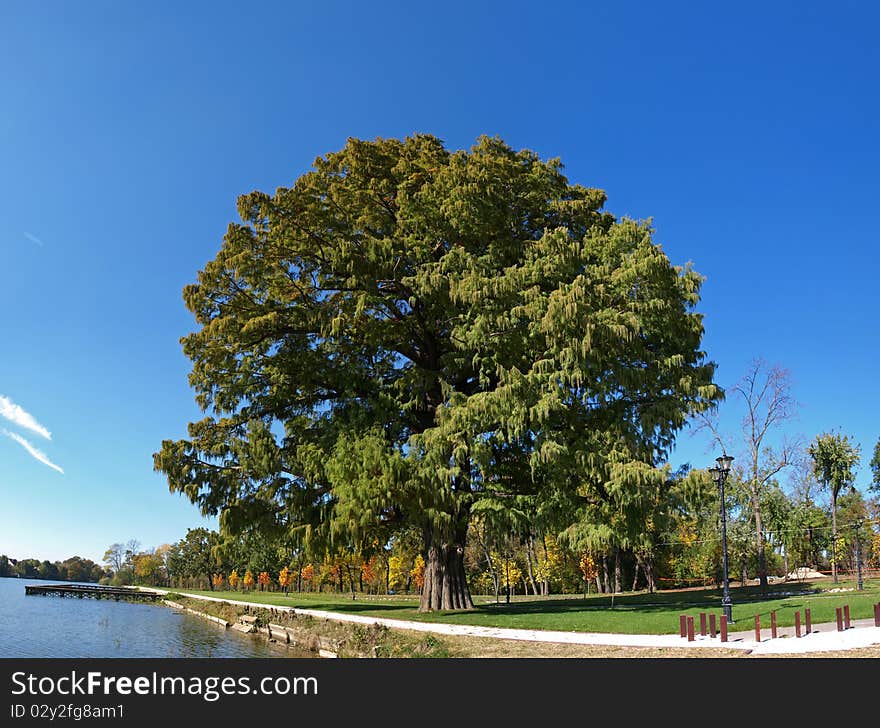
[408, 332]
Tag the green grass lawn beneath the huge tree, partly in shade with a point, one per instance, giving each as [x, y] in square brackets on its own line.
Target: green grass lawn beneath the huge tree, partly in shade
[638, 613]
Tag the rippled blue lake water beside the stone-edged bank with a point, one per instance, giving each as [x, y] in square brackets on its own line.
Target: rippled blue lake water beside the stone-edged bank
[47, 626]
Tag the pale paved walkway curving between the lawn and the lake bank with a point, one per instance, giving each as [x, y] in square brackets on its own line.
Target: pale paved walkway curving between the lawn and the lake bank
[823, 638]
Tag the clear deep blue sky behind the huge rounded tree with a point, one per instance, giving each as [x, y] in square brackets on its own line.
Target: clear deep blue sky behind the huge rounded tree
[748, 134]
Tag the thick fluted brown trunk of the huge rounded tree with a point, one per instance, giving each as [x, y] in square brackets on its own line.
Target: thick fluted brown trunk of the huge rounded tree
[445, 584]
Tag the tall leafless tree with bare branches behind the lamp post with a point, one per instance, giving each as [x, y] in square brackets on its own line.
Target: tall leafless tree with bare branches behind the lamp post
[765, 392]
